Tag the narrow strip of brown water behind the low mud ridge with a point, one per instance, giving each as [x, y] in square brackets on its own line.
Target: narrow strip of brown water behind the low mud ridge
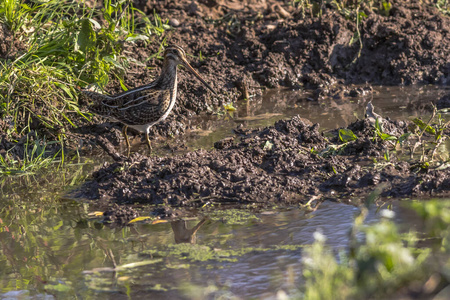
[394, 102]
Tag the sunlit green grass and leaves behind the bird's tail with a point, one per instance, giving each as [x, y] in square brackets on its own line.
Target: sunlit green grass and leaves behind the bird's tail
[60, 47]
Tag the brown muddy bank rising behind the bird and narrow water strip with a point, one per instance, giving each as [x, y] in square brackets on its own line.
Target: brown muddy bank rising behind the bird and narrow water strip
[262, 44]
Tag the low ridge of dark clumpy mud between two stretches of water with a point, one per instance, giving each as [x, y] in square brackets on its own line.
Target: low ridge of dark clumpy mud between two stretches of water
[288, 163]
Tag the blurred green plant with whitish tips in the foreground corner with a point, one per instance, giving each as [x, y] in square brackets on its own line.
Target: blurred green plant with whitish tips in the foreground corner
[385, 262]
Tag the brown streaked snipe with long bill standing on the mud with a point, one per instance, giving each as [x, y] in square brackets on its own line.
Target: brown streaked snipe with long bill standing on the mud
[144, 106]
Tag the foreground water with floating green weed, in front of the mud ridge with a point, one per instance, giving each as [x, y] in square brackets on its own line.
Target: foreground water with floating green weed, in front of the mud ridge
[52, 249]
